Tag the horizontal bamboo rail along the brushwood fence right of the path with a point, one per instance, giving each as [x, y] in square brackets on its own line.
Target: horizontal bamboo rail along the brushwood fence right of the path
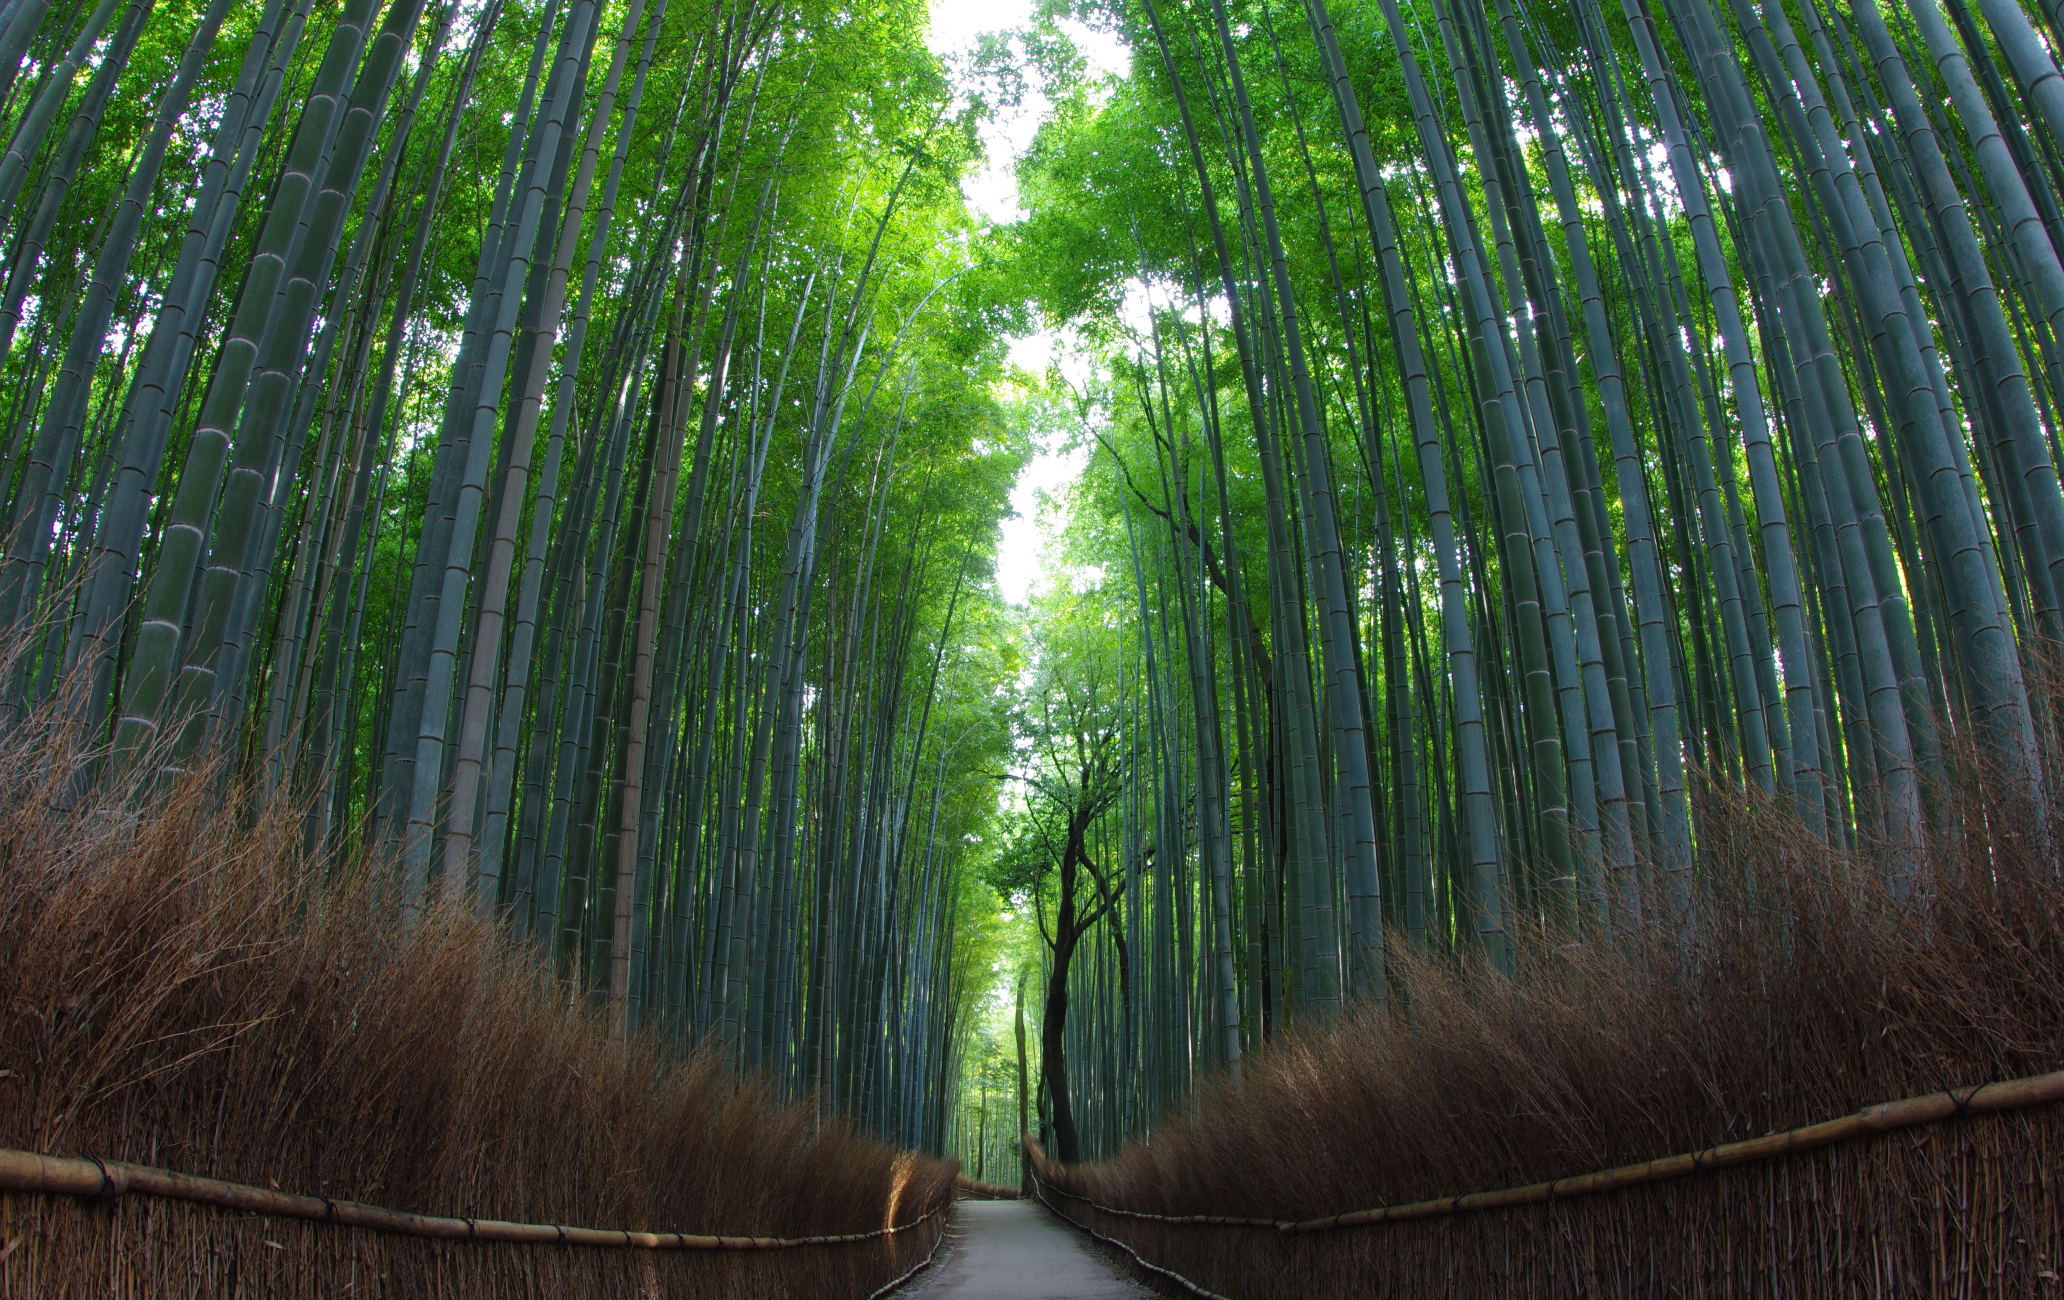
[1871, 1122]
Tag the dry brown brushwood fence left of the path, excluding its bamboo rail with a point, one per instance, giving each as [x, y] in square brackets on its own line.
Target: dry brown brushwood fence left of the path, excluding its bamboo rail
[181, 985]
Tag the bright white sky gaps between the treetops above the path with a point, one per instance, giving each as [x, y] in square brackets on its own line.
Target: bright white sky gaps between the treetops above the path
[994, 193]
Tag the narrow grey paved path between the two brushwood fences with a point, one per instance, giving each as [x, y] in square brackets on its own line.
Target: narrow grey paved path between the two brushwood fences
[1019, 1252]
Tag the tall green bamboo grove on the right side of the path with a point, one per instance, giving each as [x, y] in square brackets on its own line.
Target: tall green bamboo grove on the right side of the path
[1520, 424]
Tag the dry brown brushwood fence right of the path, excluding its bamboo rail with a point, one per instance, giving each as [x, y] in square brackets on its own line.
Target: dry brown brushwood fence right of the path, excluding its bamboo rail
[1813, 992]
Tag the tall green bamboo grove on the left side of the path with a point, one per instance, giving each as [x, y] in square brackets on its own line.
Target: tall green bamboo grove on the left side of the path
[556, 441]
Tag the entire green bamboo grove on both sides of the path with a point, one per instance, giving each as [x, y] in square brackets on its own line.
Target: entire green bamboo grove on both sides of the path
[560, 447]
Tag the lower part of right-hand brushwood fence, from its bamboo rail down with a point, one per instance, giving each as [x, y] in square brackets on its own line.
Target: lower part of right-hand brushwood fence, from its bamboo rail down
[1821, 1210]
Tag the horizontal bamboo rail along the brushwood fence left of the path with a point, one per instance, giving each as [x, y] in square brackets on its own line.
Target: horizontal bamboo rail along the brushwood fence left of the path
[108, 1179]
